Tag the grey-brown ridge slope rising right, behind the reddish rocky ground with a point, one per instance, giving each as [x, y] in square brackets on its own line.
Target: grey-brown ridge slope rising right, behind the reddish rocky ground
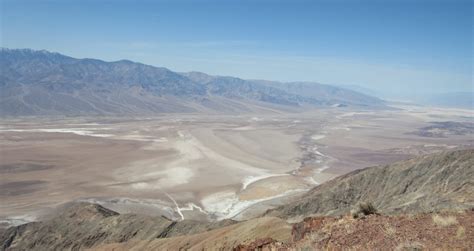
[429, 183]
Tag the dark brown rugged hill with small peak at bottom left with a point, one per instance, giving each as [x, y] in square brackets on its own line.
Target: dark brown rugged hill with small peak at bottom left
[85, 225]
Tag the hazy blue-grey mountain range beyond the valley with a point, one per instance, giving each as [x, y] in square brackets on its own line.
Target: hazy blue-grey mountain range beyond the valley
[45, 83]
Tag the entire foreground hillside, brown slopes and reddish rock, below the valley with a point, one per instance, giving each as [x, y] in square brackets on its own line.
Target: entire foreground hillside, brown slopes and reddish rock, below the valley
[413, 191]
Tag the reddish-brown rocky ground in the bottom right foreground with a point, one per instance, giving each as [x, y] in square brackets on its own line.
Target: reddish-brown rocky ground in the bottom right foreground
[446, 231]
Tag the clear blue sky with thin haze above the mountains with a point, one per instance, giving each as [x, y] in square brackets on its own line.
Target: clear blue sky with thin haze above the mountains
[400, 49]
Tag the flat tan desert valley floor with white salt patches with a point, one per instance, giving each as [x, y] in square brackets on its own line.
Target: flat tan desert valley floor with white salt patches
[205, 166]
